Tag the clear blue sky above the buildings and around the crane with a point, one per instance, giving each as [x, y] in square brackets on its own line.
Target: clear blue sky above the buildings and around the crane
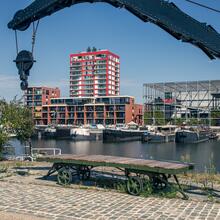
[147, 53]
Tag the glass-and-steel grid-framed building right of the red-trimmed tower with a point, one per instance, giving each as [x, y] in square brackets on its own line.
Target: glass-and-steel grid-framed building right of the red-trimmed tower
[195, 102]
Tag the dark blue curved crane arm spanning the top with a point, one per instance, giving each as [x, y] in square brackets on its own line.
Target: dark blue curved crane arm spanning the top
[162, 13]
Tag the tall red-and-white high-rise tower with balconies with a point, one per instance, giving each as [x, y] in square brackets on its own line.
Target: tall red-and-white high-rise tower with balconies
[94, 73]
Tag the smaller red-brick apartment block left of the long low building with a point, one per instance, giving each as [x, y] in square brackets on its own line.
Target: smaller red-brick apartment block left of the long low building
[36, 97]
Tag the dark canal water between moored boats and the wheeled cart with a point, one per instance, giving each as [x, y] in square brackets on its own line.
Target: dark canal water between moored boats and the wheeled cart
[202, 154]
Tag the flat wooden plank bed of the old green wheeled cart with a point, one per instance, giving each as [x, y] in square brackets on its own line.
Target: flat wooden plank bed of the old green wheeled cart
[120, 162]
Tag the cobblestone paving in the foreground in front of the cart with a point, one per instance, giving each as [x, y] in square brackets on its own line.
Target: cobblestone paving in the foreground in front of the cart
[32, 196]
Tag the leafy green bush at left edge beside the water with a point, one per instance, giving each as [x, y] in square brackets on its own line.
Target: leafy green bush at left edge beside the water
[15, 119]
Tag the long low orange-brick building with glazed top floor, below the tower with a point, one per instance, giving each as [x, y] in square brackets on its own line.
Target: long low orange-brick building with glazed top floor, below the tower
[109, 110]
